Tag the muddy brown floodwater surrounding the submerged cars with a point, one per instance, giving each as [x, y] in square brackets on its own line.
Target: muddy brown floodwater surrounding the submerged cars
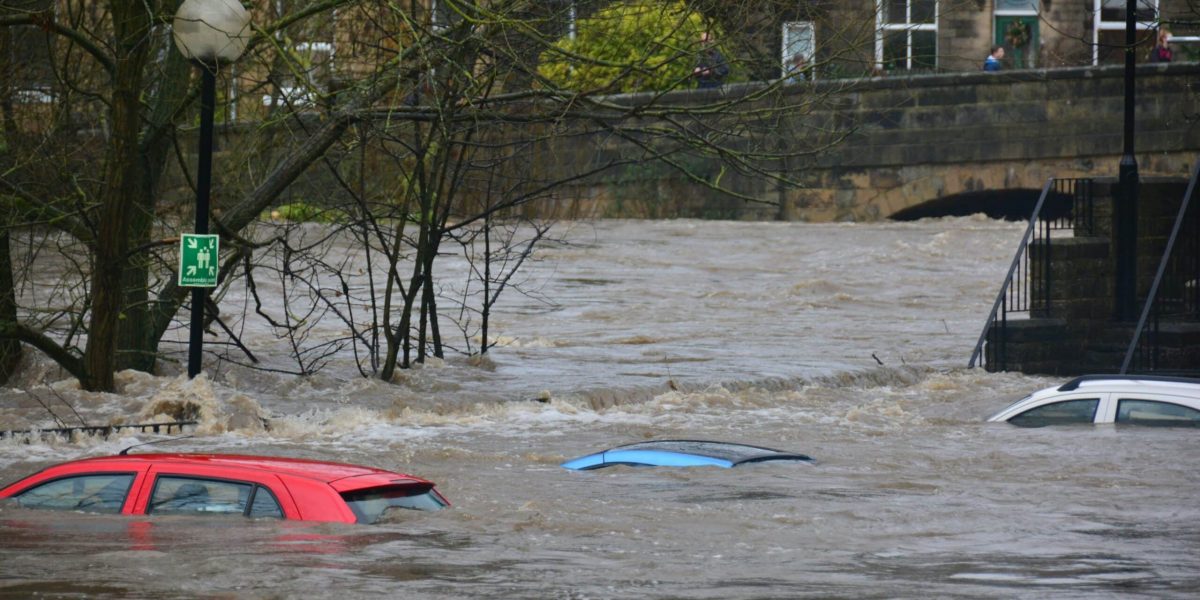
[847, 343]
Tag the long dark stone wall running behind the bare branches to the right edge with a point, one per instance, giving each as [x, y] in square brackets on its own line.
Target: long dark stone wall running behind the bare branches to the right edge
[909, 141]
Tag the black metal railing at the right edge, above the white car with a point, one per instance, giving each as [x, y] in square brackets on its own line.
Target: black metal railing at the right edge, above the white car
[1175, 293]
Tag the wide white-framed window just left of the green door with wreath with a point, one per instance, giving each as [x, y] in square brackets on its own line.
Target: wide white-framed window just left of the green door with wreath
[907, 35]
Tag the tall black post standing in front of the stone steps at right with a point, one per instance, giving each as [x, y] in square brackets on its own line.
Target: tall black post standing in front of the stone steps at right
[1126, 213]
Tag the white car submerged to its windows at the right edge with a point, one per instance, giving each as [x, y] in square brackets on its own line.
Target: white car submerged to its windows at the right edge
[1133, 400]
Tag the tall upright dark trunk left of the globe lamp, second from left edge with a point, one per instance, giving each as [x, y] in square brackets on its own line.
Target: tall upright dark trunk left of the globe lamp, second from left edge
[131, 28]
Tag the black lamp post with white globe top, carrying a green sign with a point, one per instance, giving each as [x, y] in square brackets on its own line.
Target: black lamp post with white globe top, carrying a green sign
[209, 33]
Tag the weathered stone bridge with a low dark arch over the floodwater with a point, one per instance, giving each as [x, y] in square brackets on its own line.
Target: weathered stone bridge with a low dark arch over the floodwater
[937, 145]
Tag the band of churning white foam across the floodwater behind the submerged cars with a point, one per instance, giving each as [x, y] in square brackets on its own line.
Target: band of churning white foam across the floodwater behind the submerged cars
[871, 400]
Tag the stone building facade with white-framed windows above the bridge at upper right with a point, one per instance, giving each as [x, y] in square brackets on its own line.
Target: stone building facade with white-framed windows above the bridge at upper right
[957, 35]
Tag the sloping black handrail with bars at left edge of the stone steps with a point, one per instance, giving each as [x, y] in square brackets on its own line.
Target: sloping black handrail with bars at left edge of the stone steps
[1016, 293]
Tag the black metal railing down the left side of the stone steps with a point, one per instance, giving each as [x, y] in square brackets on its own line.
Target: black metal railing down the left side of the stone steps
[1065, 205]
